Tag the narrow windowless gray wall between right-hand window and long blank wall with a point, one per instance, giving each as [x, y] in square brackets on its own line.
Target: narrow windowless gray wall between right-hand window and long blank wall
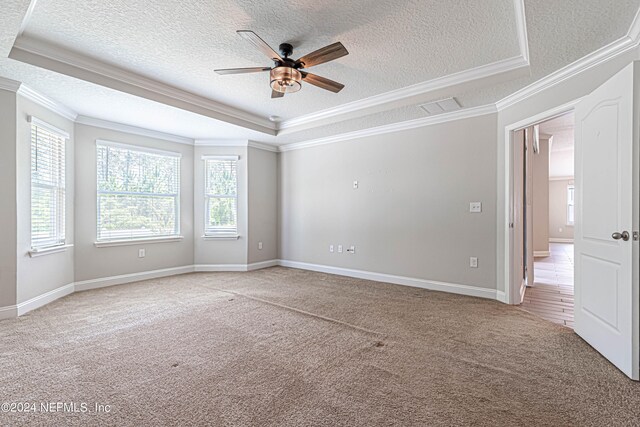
[263, 189]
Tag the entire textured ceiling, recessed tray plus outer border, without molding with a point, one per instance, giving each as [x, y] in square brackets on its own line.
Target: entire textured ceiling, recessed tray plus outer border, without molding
[392, 45]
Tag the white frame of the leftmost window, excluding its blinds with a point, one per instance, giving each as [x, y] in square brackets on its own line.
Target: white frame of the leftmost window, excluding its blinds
[58, 242]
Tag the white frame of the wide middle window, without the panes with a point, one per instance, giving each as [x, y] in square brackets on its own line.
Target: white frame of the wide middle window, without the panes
[118, 241]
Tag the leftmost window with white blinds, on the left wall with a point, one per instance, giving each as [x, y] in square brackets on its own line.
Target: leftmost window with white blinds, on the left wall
[47, 185]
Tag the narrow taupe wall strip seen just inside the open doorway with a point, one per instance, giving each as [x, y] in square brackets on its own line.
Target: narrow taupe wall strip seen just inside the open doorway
[541, 198]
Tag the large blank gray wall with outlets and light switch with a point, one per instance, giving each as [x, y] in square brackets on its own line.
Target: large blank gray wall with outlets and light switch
[409, 216]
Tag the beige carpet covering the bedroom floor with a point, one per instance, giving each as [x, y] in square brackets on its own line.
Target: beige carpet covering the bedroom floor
[284, 347]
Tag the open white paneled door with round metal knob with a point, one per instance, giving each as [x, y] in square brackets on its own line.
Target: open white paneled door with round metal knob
[606, 288]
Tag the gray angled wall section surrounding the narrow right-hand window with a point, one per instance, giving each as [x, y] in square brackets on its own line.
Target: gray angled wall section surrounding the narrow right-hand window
[219, 251]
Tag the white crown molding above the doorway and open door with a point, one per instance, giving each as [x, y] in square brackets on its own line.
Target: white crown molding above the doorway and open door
[602, 55]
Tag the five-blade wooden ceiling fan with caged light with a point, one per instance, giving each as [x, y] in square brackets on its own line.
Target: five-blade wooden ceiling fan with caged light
[286, 75]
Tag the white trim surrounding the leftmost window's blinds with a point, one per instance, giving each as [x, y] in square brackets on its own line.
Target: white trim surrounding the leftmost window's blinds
[61, 245]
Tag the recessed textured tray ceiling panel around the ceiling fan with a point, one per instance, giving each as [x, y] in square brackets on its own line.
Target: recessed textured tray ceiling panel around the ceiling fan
[392, 44]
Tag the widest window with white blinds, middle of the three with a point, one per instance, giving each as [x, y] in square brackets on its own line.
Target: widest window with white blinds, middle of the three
[138, 192]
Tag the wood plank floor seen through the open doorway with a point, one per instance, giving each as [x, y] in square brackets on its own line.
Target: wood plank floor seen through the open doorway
[551, 295]
